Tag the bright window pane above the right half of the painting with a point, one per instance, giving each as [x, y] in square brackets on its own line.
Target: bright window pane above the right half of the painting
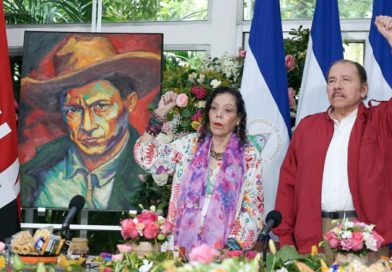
[152, 10]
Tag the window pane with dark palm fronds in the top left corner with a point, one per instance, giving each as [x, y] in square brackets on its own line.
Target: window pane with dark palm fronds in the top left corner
[47, 12]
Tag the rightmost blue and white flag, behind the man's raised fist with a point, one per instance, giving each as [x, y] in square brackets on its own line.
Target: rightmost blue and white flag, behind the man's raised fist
[378, 58]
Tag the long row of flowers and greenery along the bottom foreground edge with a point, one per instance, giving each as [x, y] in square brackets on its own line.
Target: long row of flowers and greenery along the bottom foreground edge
[205, 258]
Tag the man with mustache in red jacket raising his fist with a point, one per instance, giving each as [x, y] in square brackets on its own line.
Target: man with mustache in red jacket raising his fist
[339, 163]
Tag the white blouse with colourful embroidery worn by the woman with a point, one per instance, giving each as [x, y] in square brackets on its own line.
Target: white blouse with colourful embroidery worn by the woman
[174, 158]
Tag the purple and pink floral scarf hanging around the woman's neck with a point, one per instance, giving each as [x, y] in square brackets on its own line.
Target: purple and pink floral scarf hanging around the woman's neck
[220, 215]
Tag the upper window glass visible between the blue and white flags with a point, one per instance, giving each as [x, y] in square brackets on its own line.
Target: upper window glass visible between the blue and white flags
[303, 9]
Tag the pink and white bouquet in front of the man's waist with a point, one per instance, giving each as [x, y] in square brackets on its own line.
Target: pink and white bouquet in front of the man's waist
[353, 237]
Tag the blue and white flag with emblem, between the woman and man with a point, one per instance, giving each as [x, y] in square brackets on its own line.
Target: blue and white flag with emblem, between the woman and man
[264, 88]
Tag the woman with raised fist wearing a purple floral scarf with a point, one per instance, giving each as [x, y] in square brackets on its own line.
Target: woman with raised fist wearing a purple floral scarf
[217, 191]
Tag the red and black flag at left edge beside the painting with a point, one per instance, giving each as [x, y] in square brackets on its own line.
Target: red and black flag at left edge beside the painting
[9, 164]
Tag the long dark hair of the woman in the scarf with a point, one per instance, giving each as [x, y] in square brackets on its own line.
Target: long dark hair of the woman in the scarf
[241, 112]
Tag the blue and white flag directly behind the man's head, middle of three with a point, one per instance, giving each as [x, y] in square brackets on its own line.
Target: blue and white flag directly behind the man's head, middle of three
[324, 48]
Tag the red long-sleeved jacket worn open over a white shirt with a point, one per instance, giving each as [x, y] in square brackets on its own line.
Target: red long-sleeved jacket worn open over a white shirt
[369, 174]
